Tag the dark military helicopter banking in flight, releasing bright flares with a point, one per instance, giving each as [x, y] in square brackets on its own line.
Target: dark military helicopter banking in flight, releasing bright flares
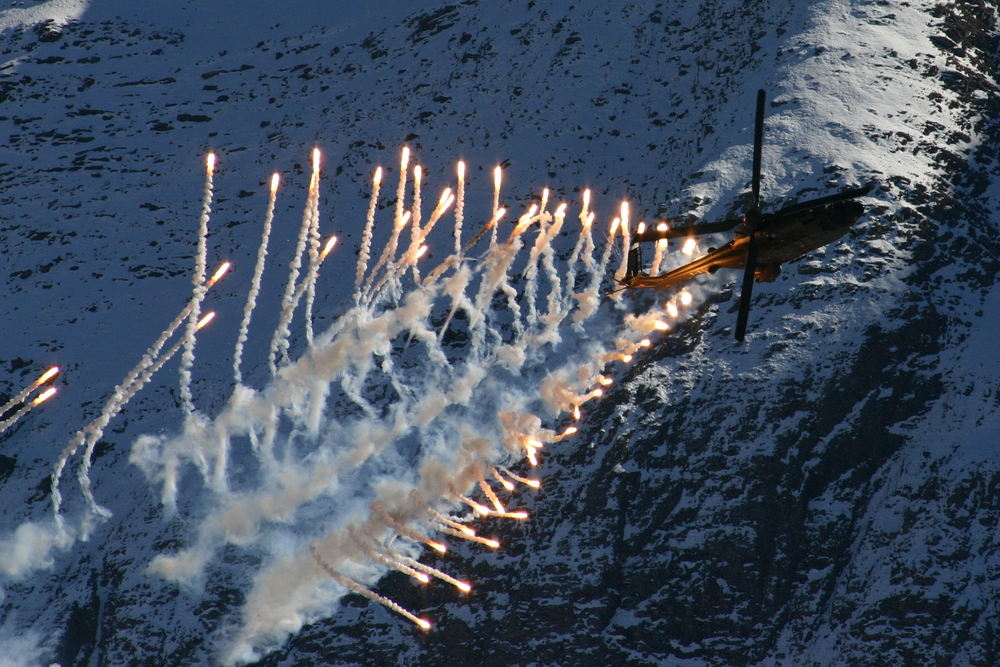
[761, 242]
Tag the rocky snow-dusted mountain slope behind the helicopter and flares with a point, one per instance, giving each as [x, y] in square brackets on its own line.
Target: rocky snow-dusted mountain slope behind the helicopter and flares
[825, 493]
